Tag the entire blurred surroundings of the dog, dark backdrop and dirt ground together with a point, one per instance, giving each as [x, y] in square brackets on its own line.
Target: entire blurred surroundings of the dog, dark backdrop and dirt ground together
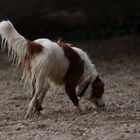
[109, 31]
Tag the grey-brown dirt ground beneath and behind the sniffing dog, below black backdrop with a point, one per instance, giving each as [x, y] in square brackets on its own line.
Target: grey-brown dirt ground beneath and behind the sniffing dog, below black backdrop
[117, 60]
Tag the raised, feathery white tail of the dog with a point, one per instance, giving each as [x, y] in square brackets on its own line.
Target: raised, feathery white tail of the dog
[15, 43]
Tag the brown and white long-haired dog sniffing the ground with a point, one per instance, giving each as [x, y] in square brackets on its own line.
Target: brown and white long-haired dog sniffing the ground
[45, 61]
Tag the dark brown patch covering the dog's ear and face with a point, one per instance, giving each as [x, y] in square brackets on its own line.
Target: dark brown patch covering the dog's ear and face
[97, 88]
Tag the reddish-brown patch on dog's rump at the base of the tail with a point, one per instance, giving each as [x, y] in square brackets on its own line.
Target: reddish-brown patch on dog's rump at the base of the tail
[33, 48]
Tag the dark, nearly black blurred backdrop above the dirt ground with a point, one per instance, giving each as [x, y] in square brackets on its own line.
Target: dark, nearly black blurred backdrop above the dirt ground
[73, 19]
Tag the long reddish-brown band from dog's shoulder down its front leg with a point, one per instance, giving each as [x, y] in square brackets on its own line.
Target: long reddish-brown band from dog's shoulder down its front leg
[74, 73]
